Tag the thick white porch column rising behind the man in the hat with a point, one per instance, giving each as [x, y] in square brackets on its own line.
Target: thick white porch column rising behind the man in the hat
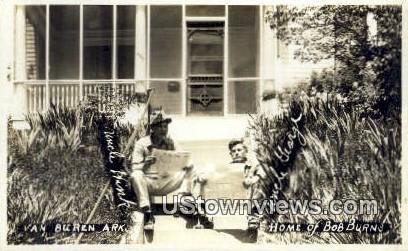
[141, 47]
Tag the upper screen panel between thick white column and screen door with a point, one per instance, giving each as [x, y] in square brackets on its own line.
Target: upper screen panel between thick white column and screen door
[165, 41]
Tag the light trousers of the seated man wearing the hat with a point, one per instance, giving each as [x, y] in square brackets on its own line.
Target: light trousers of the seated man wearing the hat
[146, 186]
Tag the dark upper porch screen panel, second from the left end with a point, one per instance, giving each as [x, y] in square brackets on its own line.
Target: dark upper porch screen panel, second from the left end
[64, 42]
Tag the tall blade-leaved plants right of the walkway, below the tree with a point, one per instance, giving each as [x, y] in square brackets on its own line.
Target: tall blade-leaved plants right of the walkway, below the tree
[345, 156]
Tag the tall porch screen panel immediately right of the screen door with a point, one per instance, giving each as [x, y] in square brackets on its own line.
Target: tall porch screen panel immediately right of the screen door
[243, 48]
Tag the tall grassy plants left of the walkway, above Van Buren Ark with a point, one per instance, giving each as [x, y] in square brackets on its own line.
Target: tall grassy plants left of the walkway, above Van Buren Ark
[56, 173]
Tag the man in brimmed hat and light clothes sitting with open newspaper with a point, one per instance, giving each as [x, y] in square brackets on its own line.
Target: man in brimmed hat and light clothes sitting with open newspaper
[147, 182]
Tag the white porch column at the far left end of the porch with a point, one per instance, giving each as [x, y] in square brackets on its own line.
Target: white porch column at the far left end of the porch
[19, 95]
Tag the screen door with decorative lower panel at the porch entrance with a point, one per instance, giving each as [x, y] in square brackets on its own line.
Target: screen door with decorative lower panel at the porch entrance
[205, 68]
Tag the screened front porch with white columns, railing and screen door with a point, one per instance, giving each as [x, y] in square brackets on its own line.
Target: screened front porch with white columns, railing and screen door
[202, 61]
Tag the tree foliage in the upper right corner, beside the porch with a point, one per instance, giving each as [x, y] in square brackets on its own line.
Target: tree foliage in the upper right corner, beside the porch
[365, 61]
